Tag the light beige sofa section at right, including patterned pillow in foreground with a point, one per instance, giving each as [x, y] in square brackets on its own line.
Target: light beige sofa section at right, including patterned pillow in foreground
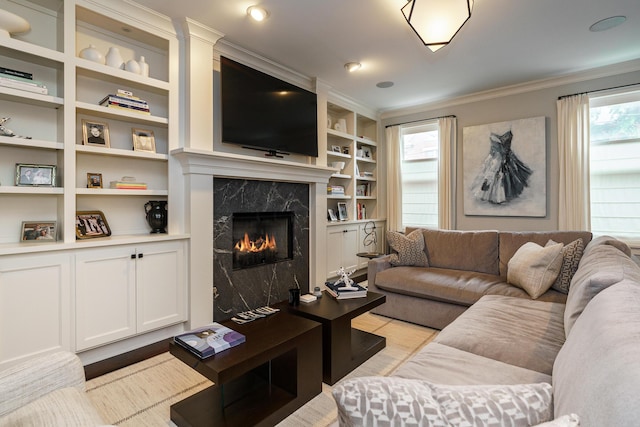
[515, 361]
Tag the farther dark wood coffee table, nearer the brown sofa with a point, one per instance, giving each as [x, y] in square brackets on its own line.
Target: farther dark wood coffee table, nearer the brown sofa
[343, 347]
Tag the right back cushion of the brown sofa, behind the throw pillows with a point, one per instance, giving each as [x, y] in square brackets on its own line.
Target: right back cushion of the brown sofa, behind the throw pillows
[510, 242]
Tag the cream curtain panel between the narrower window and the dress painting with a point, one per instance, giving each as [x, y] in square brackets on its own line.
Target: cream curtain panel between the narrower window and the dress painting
[447, 172]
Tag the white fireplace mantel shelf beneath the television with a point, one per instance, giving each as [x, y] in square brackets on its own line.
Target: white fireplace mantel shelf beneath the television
[202, 162]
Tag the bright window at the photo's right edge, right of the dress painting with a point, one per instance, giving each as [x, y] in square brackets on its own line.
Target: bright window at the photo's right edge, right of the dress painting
[614, 122]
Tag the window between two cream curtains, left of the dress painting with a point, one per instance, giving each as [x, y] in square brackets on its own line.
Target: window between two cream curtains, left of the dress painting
[420, 175]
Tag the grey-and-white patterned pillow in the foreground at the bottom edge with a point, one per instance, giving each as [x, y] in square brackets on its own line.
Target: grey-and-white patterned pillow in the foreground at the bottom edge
[396, 401]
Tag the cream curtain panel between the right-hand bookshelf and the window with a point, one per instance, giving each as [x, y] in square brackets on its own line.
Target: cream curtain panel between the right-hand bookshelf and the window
[394, 179]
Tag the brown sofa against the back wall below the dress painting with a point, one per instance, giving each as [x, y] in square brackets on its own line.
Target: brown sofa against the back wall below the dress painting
[463, 267]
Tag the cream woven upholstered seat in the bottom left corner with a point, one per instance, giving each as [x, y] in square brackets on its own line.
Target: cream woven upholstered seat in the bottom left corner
[46, 391]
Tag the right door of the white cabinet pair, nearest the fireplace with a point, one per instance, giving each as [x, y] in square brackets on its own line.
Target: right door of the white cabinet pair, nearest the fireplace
[161, 285]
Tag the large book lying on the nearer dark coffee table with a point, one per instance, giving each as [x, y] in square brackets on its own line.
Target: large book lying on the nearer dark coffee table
[209, 340]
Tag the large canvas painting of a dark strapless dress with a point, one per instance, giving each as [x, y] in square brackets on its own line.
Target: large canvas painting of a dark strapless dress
[505, 168]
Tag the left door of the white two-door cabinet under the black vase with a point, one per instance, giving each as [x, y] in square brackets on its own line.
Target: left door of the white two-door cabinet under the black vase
[105, 296]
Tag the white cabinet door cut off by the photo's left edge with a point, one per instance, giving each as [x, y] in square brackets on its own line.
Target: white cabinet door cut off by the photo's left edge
[35, 312]
